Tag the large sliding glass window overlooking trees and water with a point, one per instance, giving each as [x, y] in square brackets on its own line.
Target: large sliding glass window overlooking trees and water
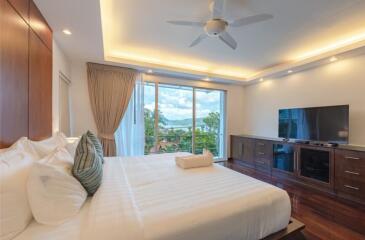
[185, 123]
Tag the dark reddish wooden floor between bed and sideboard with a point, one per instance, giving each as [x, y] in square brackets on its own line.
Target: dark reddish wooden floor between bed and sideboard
[325, 217]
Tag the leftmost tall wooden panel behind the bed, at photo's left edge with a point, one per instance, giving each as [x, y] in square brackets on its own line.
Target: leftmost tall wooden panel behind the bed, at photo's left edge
[13, 75]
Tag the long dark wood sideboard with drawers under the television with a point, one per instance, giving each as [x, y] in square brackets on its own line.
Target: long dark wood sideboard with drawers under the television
[302, 163]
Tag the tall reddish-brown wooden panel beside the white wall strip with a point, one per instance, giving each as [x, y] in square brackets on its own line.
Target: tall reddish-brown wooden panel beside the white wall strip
[40, 89]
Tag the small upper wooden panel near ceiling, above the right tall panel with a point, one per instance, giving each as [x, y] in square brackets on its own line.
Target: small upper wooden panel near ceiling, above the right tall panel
[39, 25]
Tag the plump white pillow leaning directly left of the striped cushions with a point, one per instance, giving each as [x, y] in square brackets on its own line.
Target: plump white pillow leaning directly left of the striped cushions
[54, 194]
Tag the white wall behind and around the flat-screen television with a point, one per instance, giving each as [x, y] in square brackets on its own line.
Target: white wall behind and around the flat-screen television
[342, 82]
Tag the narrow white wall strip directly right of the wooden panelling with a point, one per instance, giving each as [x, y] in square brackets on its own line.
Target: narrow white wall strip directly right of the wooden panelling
[60, 64]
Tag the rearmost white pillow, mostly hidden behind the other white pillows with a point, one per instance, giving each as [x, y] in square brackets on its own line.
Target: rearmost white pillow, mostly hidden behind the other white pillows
[47, 146]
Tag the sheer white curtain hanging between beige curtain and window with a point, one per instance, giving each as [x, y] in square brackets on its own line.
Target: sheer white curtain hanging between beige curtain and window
[129, 137]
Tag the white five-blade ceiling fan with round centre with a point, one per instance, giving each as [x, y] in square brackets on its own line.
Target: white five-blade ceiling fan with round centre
[217, 25]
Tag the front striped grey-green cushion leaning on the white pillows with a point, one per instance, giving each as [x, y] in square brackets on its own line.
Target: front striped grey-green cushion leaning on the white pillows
[88, 167]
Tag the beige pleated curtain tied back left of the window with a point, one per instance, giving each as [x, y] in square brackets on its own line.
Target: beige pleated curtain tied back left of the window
[110, 89]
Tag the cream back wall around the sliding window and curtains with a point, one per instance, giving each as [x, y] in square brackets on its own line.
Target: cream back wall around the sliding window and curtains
[82, 118]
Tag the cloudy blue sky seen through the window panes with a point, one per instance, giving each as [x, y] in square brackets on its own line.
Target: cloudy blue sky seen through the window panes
[176, 102]
